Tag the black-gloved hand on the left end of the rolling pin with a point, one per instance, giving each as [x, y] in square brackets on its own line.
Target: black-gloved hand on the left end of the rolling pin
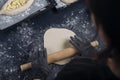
[41, 62]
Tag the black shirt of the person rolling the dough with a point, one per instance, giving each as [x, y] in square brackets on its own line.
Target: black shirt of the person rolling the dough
[85, 69]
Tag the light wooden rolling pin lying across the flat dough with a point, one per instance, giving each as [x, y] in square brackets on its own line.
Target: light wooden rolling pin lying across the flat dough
[57, 56]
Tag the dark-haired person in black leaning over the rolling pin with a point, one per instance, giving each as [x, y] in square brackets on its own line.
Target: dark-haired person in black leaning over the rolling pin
[106, 66]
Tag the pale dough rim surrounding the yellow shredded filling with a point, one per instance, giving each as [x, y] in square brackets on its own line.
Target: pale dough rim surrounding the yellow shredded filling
[17, 10]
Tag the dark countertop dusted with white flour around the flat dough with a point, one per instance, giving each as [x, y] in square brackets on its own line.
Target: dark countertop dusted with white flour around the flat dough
[28, 35]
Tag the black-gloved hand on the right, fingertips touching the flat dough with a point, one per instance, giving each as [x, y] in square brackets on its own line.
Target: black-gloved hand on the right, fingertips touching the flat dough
[85, 48]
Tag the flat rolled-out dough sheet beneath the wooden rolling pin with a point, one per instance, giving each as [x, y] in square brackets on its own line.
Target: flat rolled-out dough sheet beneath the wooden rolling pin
[57, 39]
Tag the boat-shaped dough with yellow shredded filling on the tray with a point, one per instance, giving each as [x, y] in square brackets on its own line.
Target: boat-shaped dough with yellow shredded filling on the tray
[14, 7]
